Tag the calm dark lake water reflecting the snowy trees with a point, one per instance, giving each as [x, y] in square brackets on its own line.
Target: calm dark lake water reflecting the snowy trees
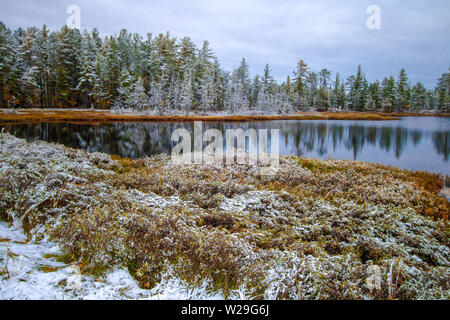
[418, 143]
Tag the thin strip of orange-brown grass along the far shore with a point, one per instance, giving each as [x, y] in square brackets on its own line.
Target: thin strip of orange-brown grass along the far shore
[105, 116]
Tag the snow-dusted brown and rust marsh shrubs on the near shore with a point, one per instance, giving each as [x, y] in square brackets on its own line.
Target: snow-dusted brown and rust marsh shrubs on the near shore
[309, 231]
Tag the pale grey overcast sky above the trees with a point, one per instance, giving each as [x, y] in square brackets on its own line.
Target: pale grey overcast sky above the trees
[326, 34]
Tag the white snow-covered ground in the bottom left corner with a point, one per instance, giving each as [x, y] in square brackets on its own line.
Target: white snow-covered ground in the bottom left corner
[30, 270]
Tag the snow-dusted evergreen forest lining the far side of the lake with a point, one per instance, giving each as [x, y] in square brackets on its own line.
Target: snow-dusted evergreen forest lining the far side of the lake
[66, 68]
